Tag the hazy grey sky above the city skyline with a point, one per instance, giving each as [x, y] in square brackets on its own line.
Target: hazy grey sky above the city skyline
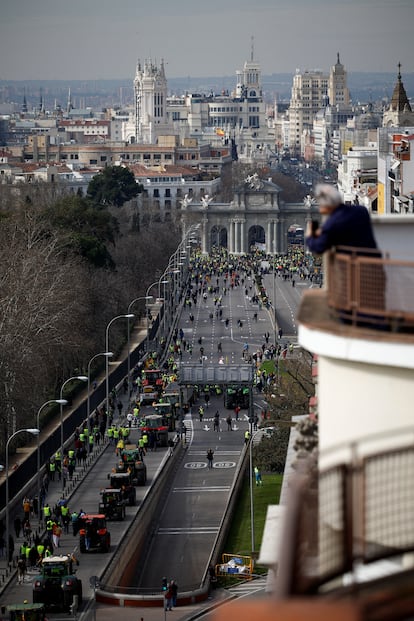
[82, 39]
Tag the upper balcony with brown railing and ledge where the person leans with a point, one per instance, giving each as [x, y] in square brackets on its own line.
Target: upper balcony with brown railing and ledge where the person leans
[372, 295]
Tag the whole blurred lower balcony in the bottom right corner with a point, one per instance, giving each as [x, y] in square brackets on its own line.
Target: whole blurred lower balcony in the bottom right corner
[348, 530]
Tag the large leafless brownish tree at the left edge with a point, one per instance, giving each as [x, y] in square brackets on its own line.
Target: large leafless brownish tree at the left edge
[43, 307]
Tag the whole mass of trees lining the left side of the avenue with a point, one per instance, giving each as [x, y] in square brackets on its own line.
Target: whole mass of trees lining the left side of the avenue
[68, 264]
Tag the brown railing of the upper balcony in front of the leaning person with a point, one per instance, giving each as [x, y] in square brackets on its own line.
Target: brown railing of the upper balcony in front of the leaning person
[371, 291]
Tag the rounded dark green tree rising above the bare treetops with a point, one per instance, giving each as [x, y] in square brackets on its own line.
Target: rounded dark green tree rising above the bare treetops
[115, 185]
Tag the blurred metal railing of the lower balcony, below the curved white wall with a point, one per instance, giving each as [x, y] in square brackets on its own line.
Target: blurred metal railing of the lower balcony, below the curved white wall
[347, 515]
